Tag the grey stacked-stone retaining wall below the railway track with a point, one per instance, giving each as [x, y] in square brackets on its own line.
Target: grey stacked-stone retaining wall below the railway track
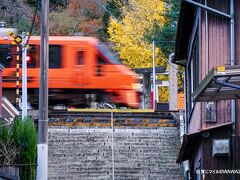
[86, 153]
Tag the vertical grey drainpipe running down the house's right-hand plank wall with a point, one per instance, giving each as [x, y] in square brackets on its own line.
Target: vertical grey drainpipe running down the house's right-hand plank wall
[233, 102]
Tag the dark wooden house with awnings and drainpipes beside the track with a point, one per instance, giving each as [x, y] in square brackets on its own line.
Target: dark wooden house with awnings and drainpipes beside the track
[208, 47]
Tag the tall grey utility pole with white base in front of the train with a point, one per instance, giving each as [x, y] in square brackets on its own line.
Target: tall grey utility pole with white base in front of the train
[42, 161]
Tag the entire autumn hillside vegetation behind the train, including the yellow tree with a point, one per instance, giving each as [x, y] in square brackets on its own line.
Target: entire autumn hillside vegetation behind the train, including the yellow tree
[130, 26]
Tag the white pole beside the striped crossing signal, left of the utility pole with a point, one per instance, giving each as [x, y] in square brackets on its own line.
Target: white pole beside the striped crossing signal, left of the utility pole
[24, 76]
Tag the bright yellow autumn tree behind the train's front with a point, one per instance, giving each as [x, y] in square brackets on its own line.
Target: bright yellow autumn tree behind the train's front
[128, 34]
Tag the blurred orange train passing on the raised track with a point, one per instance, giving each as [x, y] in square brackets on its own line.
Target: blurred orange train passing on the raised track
[79, 67]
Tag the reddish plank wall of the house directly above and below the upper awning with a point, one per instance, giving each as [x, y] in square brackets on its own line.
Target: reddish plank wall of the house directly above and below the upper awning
[215, 53]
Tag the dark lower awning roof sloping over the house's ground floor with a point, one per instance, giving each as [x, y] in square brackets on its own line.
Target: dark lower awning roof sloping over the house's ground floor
[191, 141]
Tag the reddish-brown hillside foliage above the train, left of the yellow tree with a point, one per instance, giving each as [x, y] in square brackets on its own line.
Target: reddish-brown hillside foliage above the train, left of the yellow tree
[83, 16]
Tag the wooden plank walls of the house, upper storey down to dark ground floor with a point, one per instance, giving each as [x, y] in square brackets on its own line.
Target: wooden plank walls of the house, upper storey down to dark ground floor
[216, 52]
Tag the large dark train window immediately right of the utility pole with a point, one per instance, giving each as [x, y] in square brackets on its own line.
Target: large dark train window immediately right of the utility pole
[55, 56]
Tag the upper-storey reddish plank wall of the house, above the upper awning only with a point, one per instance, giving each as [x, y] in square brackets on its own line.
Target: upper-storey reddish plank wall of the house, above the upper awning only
[218, 37]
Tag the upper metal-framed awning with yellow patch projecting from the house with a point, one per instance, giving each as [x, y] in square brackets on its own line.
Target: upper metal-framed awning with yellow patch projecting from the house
[221, 83]
